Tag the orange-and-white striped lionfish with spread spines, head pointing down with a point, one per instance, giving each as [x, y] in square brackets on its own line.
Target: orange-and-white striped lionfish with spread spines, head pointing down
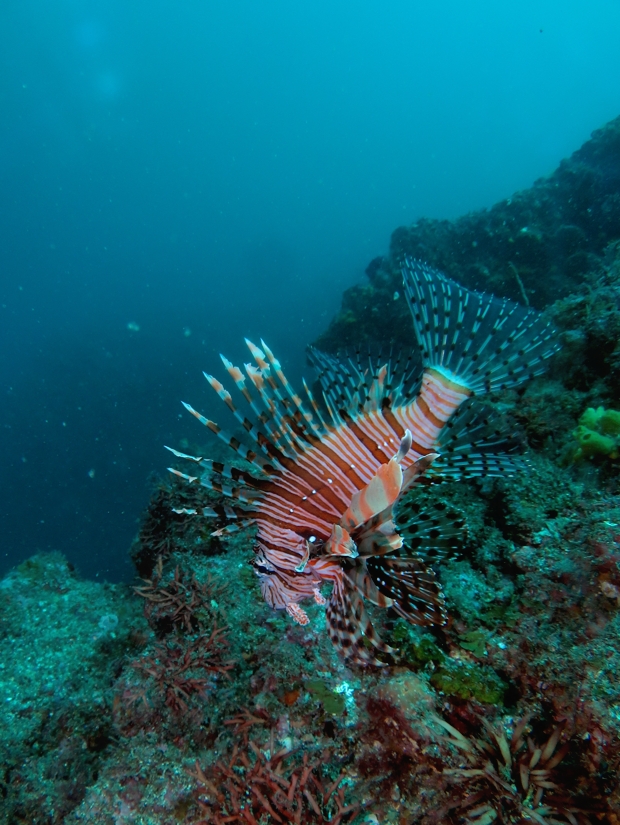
[325, 480]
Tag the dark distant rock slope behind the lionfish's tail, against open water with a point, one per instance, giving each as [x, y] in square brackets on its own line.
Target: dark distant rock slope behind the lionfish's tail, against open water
[533, 247]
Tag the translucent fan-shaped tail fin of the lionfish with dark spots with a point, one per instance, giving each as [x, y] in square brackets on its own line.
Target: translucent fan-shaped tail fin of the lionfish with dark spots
[487, 343]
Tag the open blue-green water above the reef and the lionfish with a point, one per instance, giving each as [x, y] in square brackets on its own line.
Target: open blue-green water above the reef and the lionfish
[175, 176]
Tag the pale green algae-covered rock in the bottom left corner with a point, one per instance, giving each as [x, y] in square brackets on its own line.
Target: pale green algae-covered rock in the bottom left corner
[61, 643]
